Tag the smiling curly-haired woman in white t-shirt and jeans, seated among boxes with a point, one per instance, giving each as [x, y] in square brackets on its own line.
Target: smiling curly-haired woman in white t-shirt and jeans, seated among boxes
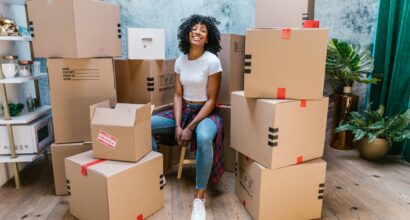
[198, 78]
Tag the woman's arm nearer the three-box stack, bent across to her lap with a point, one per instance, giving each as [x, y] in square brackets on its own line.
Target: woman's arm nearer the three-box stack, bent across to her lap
[214, 82]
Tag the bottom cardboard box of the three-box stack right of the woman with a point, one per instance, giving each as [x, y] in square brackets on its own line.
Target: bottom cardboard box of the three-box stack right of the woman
[293, 192]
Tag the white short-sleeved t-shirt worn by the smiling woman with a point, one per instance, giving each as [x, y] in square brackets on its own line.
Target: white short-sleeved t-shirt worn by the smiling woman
[194, 75]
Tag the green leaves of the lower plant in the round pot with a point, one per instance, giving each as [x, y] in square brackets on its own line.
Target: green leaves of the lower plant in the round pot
[372, 124]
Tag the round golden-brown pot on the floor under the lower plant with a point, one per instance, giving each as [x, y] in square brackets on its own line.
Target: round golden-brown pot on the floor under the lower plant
[374, 150]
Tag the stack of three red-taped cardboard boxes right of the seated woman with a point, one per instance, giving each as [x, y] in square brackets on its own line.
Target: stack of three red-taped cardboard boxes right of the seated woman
[279, 121]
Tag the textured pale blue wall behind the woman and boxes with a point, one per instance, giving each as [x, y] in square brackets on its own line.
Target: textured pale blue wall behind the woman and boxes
[352, 20]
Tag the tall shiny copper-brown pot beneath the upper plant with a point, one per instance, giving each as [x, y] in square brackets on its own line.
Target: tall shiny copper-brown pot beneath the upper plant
[343, 105]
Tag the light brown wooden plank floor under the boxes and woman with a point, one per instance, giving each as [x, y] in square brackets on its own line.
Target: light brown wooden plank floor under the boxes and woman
[355, 189]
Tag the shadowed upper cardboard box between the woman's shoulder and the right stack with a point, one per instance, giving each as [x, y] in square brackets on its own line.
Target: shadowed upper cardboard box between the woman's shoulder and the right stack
[232, 60]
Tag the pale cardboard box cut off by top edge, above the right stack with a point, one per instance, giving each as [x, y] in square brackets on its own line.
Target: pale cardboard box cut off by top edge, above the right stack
[283, 13]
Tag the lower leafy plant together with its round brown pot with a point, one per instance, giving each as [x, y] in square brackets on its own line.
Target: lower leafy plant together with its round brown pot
[375, 133]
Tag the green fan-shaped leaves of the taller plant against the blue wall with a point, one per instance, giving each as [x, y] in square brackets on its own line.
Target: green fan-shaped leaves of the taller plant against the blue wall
[348, 63]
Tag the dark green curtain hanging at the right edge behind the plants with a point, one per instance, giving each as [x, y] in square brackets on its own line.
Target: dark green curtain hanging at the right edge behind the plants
[392, 62]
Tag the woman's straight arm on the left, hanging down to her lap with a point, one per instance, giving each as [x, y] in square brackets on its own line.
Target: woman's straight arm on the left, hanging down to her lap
[178, 108]
